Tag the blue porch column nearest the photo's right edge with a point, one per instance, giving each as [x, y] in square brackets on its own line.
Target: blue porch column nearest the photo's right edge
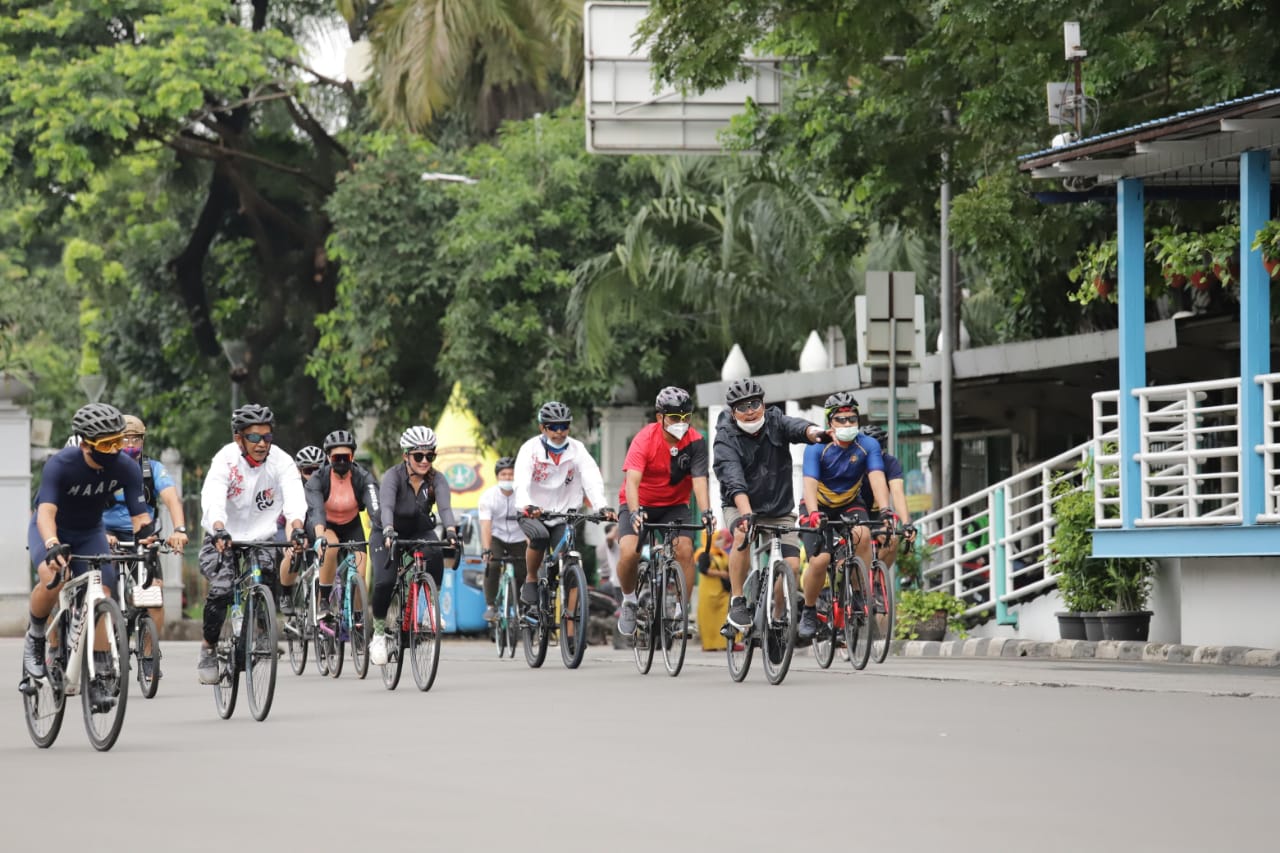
[1255, 329]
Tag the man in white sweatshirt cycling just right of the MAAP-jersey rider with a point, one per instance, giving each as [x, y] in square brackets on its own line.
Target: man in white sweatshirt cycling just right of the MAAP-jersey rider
[249, 485]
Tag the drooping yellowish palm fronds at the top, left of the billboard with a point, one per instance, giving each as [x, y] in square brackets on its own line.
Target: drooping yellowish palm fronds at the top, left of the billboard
[488, 61]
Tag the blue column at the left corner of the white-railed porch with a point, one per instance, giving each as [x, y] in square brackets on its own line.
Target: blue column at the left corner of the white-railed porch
[1133, 343]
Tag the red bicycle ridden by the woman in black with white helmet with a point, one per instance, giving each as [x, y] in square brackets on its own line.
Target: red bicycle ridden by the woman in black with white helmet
[414, 617]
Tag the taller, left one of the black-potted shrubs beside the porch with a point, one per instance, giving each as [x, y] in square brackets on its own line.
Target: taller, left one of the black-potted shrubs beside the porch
[1081, 578]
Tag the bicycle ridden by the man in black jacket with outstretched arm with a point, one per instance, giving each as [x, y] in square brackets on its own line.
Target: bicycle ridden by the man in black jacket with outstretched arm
[771, 596]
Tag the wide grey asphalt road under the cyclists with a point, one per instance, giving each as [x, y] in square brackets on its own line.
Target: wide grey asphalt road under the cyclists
[916, 755]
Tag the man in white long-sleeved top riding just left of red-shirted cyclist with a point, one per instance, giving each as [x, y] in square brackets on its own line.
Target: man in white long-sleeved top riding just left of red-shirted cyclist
[554, 473]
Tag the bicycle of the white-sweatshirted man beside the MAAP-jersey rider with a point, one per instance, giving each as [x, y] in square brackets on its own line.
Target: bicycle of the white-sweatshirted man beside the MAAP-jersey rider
[249, 637]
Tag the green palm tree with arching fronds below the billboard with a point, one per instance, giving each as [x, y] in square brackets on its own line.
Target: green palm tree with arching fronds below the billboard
[726, 252]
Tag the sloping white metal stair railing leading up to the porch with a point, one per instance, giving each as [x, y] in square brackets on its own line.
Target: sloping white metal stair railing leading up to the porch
[994, 545]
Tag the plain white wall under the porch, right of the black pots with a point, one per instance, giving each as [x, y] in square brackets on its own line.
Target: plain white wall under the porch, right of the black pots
[1231, 601]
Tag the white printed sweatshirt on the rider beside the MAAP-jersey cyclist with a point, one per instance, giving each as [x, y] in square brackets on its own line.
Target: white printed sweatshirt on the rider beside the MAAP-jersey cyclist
[249, 500]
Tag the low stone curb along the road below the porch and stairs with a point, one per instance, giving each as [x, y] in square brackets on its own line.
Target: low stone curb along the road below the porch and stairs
[1086, 650]
